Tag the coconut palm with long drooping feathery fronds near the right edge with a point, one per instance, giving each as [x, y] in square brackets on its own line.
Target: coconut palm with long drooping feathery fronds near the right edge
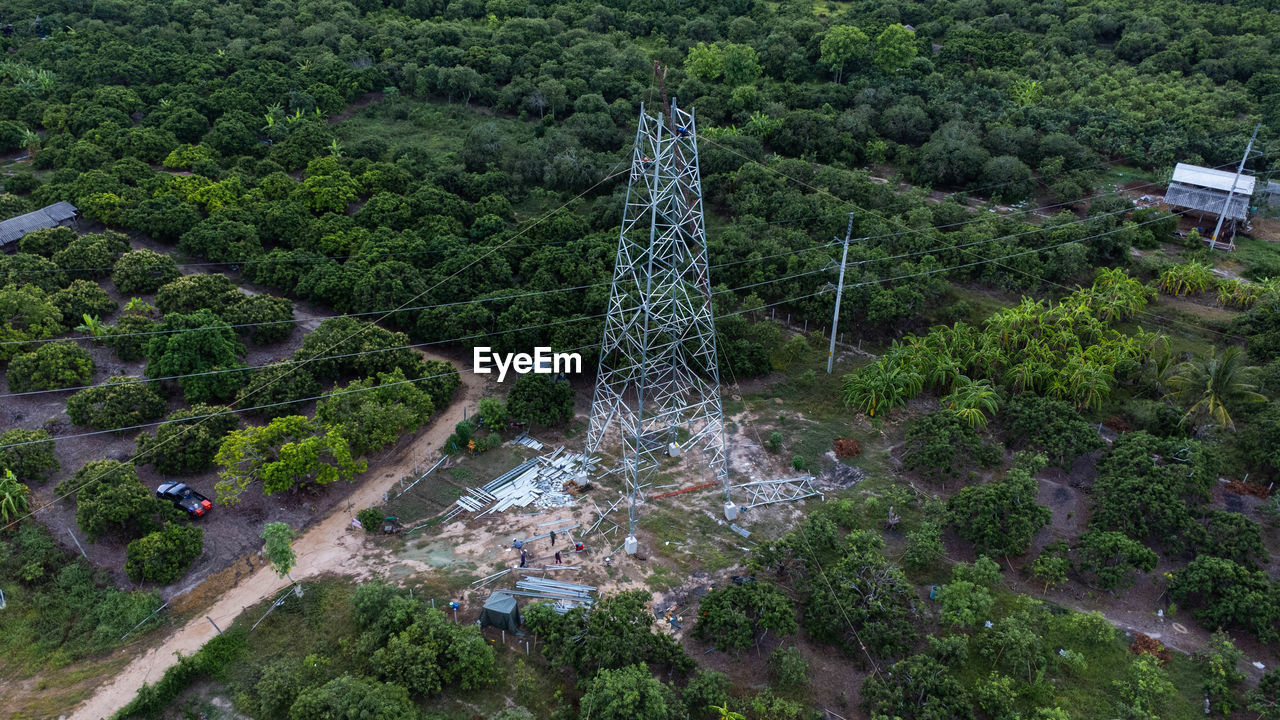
[1217, 384]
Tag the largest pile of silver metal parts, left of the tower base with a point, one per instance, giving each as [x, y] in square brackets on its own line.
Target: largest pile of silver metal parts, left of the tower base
[545, 482]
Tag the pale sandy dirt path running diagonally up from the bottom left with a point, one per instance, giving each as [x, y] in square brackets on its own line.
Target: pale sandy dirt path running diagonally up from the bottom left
[326, 548]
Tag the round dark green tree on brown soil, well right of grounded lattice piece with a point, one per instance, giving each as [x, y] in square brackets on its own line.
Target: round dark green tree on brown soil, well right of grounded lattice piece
[1002, 517]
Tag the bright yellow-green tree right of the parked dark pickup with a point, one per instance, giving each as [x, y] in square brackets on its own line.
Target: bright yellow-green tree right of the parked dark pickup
[290, 454]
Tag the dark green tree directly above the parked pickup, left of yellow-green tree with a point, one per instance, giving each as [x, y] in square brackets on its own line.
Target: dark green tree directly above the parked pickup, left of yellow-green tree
[188, 441]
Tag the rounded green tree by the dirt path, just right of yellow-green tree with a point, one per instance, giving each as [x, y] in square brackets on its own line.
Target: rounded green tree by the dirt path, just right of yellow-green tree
[376, 412]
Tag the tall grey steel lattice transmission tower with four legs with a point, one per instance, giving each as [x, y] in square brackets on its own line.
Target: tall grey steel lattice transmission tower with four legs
[659, 364]
